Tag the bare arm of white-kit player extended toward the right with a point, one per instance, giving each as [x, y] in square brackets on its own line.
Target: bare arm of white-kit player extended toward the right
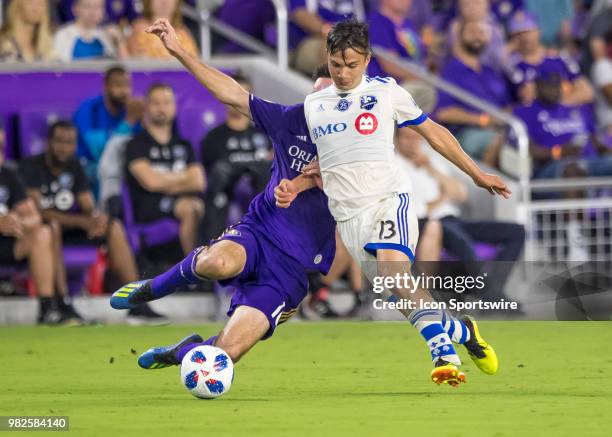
[447, 145]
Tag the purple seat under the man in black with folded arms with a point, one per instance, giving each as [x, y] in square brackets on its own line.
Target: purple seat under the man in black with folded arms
[150, 234]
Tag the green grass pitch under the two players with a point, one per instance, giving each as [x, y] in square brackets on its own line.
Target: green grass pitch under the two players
[316, 379]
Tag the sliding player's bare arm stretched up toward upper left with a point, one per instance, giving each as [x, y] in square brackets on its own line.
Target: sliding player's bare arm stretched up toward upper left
[223, 87]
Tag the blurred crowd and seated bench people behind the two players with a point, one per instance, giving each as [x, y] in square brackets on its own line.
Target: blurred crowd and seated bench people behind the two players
[545, 61]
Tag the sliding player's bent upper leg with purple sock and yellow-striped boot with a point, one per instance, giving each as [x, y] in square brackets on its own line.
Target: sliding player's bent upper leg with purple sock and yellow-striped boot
[226, 258]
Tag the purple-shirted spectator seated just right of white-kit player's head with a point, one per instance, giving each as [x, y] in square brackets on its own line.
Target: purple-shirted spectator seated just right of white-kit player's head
[392, 30]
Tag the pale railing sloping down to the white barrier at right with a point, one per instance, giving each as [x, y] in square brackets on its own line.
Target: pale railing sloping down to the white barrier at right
[557, 229]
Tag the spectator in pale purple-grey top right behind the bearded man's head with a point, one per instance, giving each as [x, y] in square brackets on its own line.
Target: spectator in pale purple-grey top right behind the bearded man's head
[495, 54]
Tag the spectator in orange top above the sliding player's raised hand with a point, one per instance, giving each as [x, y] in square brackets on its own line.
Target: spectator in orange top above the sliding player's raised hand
[144, 45]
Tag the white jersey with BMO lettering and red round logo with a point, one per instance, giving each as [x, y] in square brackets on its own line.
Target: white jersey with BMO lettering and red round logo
[353, 131]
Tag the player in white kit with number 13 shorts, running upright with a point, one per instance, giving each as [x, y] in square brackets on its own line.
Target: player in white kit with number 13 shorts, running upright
[352, 124]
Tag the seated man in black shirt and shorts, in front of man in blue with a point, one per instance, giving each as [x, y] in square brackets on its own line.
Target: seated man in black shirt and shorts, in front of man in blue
[56, 182]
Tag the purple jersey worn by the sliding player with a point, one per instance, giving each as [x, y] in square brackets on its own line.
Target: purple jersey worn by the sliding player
[306, 230]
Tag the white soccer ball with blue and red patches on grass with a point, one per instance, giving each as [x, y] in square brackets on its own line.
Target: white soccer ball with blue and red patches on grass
[207, 372]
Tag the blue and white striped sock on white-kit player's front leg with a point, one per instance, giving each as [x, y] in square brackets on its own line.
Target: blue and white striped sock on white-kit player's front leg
[428, 323]
